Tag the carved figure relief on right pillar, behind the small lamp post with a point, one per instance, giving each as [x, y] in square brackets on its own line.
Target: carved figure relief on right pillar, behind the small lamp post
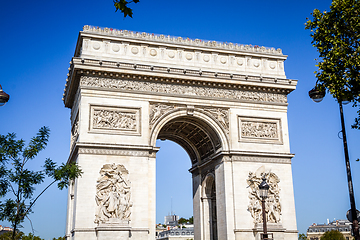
[272, 203]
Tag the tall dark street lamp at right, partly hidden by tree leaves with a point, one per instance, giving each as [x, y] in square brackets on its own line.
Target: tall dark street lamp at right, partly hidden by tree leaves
[317, 97]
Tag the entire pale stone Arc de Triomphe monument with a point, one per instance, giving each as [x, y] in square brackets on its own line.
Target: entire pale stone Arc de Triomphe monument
[224, 103]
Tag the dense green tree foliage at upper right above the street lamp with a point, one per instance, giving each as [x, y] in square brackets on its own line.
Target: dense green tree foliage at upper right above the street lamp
[336, 34]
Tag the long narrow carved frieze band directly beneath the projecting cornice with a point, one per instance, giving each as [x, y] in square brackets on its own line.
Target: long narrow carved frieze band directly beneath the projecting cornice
[167, 88]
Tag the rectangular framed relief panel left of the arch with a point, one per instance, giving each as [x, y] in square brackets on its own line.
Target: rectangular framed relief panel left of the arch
[115, 119]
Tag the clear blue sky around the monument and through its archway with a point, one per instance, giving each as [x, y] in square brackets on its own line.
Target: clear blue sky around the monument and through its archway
[38, 40]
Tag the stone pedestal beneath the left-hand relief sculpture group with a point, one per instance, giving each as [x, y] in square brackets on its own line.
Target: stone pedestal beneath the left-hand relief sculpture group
[113, 230]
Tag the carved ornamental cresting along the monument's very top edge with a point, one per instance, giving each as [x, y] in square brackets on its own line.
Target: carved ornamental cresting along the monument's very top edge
[180, 40]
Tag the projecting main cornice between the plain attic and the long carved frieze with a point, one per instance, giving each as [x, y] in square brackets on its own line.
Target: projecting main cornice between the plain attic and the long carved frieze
[80, 67]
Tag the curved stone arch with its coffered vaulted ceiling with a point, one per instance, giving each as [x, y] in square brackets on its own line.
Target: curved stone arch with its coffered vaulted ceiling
[200, 135]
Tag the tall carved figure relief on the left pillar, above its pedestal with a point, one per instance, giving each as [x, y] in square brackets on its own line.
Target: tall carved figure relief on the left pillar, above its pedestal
[113, 194]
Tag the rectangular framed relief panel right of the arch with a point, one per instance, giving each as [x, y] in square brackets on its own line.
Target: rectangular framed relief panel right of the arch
[264, 130]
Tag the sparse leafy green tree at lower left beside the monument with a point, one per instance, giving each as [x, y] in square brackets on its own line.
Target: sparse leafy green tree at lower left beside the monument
[17, 182]
